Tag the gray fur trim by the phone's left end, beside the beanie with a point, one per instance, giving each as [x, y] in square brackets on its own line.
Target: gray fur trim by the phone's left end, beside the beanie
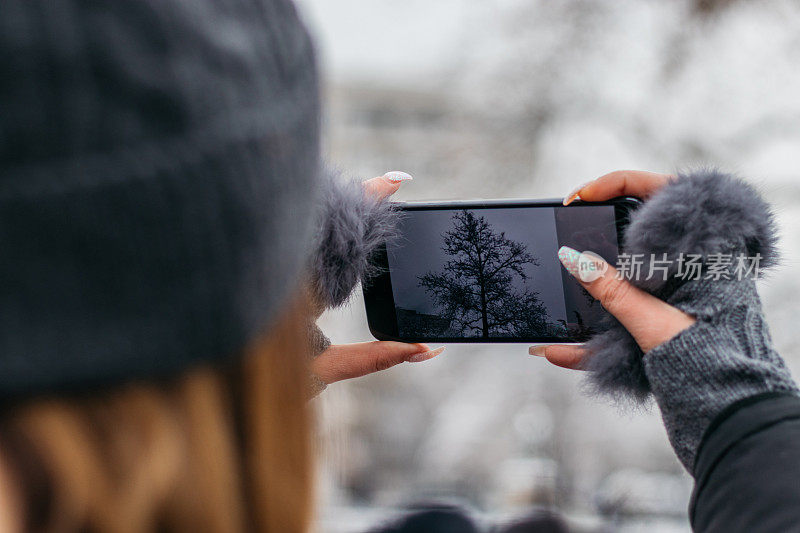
[351, 227]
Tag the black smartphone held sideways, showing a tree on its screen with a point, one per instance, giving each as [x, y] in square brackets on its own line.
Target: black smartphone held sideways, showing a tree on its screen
[488, 271]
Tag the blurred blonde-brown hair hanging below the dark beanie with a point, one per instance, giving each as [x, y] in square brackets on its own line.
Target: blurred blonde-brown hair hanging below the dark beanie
[220, 449]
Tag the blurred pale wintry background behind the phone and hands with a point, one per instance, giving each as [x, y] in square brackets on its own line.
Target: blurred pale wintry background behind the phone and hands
[528, 98]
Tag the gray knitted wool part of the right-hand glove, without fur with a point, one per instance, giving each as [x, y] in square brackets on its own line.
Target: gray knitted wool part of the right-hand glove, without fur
[725, 357]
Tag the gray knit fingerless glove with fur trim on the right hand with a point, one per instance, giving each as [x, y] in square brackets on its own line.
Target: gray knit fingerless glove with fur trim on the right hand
[727, 355]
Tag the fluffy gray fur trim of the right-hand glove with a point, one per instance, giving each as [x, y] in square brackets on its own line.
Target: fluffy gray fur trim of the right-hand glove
[701, 212]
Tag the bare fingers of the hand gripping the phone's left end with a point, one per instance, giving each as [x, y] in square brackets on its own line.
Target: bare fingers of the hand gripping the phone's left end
[345, 361]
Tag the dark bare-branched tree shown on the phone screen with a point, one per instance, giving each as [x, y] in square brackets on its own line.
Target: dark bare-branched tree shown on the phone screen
[481, 290]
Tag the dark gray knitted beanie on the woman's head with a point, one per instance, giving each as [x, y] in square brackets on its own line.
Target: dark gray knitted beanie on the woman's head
[158, 169]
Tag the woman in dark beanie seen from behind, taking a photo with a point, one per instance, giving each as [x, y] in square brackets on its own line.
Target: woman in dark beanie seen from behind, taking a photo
[164, 247]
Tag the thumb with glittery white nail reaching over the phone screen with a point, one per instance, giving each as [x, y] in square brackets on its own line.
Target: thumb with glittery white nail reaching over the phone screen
[649, 320]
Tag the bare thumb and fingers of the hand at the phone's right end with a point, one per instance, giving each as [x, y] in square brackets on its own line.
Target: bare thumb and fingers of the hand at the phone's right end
[649, 320]
